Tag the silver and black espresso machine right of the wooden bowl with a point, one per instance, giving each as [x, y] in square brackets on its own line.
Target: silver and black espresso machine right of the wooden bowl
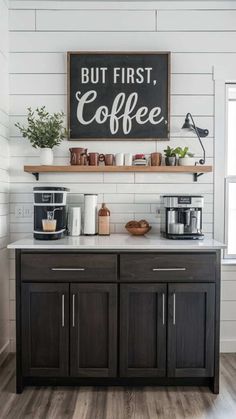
[181, 216]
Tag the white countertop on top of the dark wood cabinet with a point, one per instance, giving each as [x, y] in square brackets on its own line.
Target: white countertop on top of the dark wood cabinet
[116, 242]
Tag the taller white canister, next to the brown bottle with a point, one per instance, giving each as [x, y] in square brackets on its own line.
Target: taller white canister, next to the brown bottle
[90, 214]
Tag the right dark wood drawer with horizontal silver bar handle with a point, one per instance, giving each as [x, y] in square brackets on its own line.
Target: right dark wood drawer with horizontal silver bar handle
[168, 267]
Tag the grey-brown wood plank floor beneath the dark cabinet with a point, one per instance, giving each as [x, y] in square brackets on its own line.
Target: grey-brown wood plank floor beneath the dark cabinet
[118, 402]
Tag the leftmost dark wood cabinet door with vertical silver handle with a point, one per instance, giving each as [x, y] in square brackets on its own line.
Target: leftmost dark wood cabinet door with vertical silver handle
[45, 329]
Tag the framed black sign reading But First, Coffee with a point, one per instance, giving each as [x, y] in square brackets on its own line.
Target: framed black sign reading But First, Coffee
[118, 95]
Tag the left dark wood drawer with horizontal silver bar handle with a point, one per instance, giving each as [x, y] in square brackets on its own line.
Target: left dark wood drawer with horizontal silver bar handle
[67, 267]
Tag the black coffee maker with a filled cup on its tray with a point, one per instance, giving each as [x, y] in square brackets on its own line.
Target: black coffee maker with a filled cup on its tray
[50, 213]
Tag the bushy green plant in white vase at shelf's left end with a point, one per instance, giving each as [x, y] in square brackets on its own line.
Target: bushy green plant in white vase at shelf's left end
[44, 131]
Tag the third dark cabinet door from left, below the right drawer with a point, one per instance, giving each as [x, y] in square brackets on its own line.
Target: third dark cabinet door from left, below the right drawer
[143, 330]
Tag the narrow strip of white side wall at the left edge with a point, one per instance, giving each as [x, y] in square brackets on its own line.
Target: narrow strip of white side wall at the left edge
[4, 185]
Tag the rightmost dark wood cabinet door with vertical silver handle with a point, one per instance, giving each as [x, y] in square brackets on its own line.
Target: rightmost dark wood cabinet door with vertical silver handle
[191, 330]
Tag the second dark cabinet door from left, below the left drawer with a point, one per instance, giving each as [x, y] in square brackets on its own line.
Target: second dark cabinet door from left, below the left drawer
[93, 330]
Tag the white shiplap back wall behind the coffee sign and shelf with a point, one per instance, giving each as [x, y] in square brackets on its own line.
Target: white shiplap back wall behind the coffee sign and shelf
[40, 34]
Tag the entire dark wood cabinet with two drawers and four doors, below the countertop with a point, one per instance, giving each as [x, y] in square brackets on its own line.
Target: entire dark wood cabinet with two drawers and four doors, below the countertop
[117, 318]
